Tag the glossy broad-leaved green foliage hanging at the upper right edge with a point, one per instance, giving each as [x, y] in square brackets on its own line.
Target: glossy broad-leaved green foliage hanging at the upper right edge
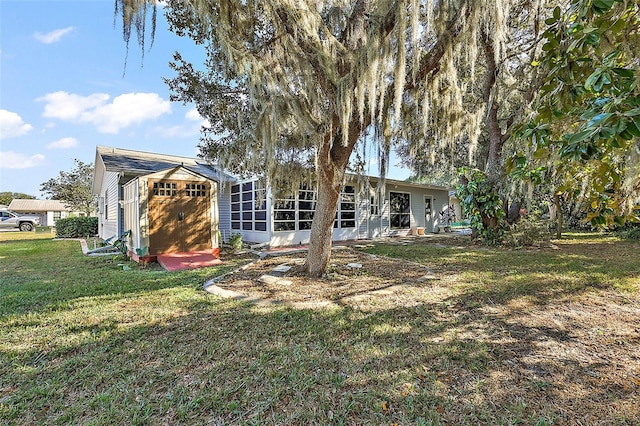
[587, 127]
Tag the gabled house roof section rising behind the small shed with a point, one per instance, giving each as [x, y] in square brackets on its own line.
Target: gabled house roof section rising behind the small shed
[140, 163]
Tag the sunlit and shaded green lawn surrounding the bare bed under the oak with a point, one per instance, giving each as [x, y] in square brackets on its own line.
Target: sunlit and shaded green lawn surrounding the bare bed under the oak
[84, 342]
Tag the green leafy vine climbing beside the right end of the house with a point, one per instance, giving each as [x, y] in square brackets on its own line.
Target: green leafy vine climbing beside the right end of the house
[482, 204]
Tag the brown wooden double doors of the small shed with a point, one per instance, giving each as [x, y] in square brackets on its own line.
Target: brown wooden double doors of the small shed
[179, 216]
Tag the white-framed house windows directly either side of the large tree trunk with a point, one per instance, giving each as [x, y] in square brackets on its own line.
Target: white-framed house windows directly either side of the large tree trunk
[296, 213]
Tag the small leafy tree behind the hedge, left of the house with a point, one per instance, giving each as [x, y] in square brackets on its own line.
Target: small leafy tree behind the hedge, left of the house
[73, 188]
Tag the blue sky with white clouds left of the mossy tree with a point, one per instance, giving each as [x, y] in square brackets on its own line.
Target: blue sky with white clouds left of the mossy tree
[64, 89]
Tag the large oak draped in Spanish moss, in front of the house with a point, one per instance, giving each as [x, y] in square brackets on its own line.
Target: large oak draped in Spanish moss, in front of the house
[306, 81]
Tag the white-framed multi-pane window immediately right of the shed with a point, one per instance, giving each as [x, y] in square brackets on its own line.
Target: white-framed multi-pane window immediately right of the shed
[248, 207]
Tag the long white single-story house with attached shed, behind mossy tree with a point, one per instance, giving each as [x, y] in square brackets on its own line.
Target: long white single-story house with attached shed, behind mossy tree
[173, 204]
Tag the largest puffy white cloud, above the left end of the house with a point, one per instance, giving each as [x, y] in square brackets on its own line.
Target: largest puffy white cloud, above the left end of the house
[124, 111]
